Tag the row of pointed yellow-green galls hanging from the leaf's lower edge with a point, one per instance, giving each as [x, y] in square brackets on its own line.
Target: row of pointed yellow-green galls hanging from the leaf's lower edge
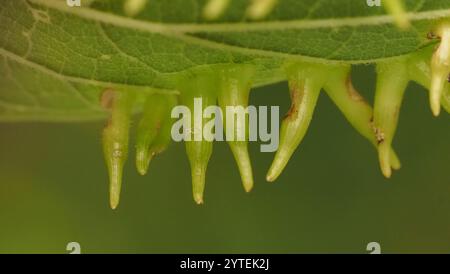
[230, 86]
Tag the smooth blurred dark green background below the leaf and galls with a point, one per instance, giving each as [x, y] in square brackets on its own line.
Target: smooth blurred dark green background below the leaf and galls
[331, 198]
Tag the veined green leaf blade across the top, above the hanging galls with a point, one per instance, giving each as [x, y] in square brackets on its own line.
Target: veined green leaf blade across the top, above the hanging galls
[57, 60]
